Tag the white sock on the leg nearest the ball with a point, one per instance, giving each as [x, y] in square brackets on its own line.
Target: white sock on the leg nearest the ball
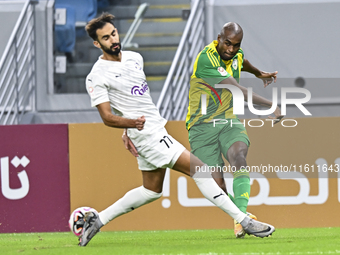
[130, 201]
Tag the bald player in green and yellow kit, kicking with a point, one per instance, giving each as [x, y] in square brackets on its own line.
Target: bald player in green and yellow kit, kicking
[213, 128]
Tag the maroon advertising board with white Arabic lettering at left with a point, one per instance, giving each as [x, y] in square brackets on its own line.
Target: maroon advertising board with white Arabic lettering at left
[34, 178]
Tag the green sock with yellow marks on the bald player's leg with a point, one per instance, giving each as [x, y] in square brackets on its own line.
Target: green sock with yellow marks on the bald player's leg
[241, 188]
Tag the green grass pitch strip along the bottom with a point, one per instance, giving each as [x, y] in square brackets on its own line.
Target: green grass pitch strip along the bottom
[284, 241]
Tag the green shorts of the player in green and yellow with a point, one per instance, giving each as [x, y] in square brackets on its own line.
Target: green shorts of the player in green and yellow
[209, 141]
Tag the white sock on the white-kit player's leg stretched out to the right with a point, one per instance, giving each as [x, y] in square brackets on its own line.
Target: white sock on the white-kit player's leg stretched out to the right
[215, 194]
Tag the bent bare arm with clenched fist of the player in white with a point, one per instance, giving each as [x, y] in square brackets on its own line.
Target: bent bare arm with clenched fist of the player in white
[112, 120]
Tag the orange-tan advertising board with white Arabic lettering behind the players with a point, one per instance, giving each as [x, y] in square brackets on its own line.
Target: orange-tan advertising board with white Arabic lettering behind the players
[294, 175]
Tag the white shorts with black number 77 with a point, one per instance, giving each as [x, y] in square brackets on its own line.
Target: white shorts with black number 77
[161, 151]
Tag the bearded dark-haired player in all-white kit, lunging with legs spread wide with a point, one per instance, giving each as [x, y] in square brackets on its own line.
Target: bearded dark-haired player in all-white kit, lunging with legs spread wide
[117, 81]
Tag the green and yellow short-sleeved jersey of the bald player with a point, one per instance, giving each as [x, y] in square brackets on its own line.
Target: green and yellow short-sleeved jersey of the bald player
[210, 69]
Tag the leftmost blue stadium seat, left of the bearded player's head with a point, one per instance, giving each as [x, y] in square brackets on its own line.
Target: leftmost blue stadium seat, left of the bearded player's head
[65, 35]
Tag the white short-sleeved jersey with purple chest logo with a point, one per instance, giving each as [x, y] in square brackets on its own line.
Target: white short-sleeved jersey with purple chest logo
[123, 84]
